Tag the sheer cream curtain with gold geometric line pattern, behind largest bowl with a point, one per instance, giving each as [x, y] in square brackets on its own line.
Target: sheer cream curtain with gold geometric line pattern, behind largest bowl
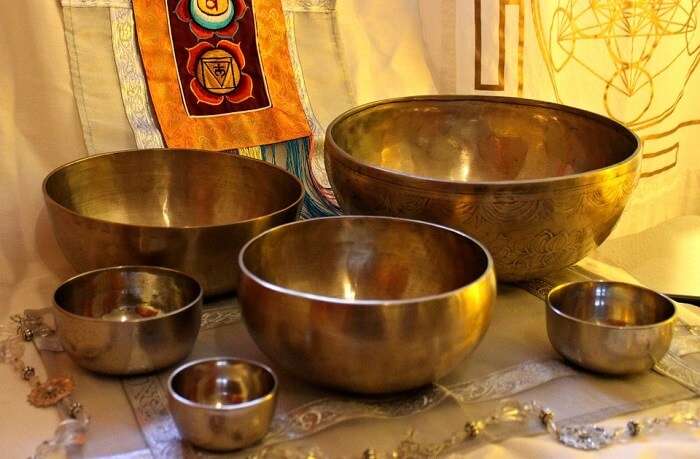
[633, 61]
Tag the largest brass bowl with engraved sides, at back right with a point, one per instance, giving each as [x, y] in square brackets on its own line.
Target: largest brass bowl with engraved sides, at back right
[540, 184]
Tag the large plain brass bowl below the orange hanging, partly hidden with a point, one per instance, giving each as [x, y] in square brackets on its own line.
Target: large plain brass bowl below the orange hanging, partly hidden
[183, 209]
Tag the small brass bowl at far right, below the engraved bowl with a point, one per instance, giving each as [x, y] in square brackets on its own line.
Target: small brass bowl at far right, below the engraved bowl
[610, 327]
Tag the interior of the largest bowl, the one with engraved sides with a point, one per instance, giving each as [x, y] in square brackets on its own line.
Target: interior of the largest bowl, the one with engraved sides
[481, 139]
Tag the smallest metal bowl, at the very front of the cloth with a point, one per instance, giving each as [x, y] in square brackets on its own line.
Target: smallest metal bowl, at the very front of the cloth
[222, 403]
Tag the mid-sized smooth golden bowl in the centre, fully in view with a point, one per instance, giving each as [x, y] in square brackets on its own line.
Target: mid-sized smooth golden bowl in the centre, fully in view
[366, 304]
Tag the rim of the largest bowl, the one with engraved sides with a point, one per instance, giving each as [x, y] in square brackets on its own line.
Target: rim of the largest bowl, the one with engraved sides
[419, 181]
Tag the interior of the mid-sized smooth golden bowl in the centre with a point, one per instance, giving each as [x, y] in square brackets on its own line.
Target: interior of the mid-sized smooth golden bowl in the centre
[365, 258]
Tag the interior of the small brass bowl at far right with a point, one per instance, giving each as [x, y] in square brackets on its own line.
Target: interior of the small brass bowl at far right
[611, 303]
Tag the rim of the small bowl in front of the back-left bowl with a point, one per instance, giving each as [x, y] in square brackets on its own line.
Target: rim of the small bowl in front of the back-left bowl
[147, 268]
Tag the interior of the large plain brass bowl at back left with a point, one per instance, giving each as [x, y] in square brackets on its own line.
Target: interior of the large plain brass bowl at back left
[178, 188]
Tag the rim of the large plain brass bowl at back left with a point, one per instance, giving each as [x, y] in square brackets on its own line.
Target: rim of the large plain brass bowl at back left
[49, 199]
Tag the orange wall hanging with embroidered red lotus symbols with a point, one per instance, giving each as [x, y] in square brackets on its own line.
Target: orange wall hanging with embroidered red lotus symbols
[219, 73]
